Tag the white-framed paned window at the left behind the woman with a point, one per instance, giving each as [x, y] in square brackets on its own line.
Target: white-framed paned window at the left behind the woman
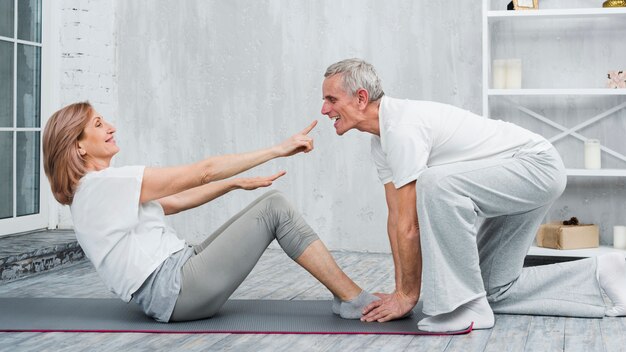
[20, 116]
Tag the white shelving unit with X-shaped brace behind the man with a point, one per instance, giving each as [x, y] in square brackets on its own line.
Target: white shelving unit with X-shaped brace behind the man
[492, 17]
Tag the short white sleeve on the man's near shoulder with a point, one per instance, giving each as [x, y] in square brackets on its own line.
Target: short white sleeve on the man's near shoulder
[408, 149]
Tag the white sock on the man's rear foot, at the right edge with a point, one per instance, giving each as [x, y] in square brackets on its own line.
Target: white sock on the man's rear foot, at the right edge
[611, 274]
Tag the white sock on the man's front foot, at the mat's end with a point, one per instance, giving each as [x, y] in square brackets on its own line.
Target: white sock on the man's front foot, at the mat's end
[476, 311]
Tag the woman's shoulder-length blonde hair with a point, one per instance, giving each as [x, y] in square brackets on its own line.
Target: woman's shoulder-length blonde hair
[62, 163]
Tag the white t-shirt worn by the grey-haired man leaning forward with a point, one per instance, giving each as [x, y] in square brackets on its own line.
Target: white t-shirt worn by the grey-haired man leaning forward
[415, 135]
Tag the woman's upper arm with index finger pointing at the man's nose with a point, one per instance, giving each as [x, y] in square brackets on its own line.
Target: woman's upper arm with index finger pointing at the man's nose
[163, 182]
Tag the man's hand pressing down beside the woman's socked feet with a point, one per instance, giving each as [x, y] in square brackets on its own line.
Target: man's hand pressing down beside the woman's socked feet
[389, 307]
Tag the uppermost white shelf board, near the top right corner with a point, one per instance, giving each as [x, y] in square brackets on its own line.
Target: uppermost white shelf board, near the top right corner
[561, 13]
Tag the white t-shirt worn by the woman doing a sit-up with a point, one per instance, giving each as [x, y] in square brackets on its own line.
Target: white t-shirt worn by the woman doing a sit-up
[125, 240]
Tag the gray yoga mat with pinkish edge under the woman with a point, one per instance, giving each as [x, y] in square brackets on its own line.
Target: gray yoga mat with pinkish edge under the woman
[236, 316]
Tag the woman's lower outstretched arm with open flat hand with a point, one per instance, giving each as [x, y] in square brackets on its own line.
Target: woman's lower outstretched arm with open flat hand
[197, 196]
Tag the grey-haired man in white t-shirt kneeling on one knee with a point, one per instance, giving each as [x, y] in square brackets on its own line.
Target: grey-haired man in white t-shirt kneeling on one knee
[443, 169]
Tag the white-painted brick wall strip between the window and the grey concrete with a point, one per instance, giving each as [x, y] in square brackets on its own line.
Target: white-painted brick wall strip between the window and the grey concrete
[86, 56]
